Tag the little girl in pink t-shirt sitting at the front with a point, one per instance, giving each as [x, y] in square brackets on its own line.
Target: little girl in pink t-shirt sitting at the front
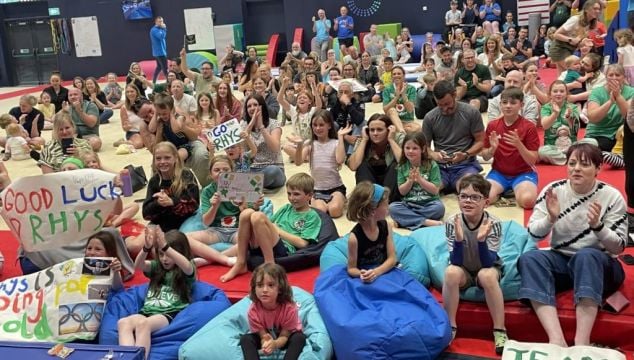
[273, 316]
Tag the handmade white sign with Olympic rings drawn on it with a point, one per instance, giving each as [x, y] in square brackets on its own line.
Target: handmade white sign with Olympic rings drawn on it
[62, 303]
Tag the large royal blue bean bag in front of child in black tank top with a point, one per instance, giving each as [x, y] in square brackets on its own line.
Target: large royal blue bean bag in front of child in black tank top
[395, 317]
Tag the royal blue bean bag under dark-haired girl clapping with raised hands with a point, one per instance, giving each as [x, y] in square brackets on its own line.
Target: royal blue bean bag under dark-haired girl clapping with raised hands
[208, 301]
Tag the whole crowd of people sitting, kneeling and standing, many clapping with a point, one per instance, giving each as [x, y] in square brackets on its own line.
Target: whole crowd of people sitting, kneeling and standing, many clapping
[403, 168]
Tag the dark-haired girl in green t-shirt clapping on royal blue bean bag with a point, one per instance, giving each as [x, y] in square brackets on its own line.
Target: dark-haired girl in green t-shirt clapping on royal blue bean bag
[172, 275]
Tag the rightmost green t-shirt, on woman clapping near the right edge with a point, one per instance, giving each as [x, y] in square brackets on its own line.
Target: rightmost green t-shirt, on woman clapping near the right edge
[611, 123]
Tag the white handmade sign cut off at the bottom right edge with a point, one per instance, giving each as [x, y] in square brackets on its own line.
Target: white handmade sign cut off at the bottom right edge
[515, 350]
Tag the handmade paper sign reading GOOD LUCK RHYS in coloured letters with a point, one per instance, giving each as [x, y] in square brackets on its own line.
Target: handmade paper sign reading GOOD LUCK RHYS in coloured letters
[48, 211]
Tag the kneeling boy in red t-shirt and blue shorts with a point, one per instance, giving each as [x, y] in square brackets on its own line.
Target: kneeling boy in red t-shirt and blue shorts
[513, 143]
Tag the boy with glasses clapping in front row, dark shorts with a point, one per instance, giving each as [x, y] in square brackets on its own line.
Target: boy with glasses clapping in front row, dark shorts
[473, 237]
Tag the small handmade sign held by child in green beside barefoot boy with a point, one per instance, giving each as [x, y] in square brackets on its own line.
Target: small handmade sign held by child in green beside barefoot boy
[238, 186]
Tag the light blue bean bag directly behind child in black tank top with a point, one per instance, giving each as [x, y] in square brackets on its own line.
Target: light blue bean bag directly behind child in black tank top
[409, 255]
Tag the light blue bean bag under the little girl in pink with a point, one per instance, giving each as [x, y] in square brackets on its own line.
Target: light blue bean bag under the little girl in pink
[220, 338]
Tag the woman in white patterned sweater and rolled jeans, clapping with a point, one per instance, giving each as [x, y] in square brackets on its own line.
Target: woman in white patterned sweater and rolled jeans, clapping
[586, 221]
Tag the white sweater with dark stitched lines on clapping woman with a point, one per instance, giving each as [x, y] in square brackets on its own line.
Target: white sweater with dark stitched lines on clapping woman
[571, 231]
